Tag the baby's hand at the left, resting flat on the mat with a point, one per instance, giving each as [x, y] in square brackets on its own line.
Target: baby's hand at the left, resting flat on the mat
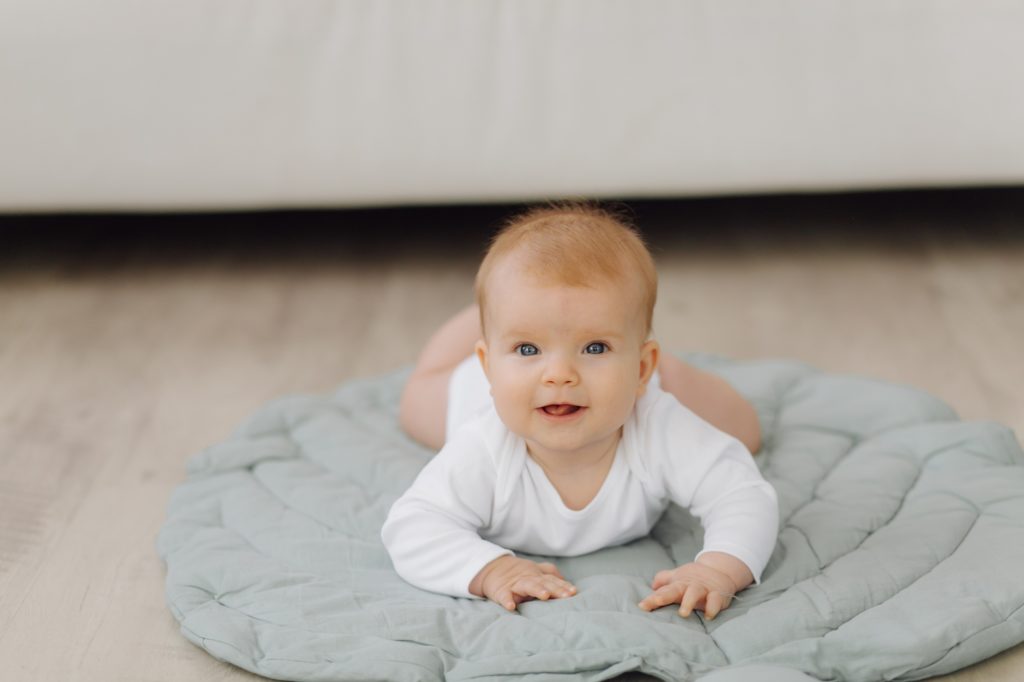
[510, 581]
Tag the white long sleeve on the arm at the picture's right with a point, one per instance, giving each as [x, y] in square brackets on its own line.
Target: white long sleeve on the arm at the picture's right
[714, 476]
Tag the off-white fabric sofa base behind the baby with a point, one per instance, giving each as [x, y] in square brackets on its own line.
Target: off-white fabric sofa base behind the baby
[190, 105]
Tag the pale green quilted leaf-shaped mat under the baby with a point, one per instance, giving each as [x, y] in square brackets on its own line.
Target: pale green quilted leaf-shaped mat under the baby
[900, 555]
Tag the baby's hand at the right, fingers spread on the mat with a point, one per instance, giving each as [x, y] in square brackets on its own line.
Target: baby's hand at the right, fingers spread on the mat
[708, 585]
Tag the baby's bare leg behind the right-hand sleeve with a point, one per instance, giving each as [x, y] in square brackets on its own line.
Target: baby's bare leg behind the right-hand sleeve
[712, 399]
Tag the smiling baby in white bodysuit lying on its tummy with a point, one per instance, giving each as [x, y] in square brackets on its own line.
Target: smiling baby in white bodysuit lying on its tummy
[577, 447]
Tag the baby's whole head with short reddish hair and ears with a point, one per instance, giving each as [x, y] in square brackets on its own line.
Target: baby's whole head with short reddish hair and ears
[567, 295]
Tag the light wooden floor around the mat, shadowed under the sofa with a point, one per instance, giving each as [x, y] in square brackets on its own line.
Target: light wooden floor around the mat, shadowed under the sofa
[127, 345]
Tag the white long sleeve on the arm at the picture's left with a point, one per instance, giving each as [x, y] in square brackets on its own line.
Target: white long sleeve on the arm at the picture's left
[433, 531]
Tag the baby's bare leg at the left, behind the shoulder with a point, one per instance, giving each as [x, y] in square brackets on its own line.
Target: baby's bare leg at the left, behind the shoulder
[424, 400]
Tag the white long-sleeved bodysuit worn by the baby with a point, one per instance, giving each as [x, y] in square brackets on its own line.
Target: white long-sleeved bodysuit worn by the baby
[484, 496]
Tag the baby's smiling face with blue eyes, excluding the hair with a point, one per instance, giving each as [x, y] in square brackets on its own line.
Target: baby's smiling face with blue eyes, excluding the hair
[566, 364]
